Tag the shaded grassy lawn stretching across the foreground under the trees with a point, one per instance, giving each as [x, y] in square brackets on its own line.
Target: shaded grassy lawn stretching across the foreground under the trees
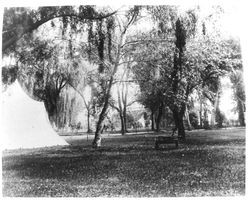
[210, 163]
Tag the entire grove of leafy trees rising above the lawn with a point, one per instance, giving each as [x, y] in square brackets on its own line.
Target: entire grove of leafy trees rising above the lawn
[178, 59]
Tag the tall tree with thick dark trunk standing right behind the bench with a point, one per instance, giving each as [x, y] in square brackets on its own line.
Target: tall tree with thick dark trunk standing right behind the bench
[172, 62]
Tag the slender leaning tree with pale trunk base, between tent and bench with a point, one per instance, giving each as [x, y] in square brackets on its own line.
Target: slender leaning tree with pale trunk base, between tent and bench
[109, 61]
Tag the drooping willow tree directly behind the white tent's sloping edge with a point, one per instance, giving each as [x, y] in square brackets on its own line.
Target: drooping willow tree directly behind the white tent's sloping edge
[47, 67]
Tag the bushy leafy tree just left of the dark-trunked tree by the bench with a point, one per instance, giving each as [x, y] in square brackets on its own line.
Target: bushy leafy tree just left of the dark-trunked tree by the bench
[148, 58]
